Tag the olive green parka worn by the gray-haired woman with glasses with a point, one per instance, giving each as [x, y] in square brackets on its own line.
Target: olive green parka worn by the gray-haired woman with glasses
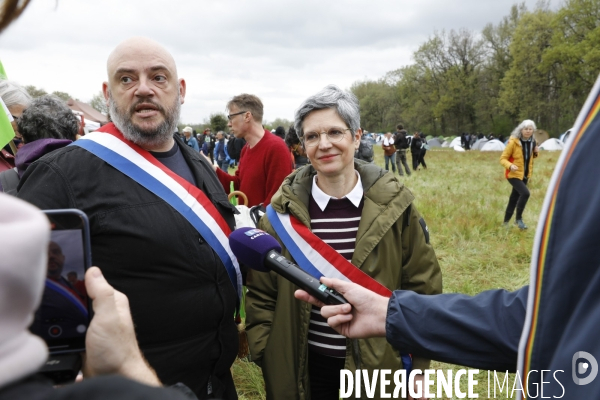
[391, 247]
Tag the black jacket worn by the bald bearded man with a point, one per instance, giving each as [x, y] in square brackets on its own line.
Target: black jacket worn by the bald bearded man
[181, 298]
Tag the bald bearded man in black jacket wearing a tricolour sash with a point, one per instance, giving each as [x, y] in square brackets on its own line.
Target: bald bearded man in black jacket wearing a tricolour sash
[145, 239]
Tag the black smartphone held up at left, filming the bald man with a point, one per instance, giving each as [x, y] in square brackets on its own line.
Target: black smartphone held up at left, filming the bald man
[65, 312]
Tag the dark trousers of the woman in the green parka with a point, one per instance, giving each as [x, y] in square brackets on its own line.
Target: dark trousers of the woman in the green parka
[324, 375]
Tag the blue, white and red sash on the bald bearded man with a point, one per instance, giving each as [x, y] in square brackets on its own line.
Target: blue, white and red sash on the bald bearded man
[109, 145]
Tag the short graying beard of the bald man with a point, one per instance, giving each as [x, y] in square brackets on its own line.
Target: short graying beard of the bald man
[146, 138]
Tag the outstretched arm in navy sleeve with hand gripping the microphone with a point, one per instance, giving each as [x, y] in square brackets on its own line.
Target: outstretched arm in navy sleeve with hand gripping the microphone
[481, 331]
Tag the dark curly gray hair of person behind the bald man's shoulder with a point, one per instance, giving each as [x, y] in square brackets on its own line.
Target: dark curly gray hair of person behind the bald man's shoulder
[48, 117]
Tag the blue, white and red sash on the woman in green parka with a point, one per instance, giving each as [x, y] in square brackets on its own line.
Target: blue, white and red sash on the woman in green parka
[315, 256]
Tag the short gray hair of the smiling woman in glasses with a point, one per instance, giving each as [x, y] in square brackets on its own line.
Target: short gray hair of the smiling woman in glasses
[344, 103]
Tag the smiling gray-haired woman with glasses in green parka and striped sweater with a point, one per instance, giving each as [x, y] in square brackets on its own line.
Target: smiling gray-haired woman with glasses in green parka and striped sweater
[367, 217]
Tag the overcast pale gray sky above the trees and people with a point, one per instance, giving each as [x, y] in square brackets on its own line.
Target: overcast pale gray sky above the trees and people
[283, 51]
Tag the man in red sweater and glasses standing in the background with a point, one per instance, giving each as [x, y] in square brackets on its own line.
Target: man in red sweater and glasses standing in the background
[265, 159]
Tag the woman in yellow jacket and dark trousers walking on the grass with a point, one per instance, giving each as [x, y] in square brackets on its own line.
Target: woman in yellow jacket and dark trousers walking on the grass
[517, 158]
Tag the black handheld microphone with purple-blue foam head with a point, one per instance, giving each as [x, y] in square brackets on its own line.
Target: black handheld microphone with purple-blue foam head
[260, 251]
